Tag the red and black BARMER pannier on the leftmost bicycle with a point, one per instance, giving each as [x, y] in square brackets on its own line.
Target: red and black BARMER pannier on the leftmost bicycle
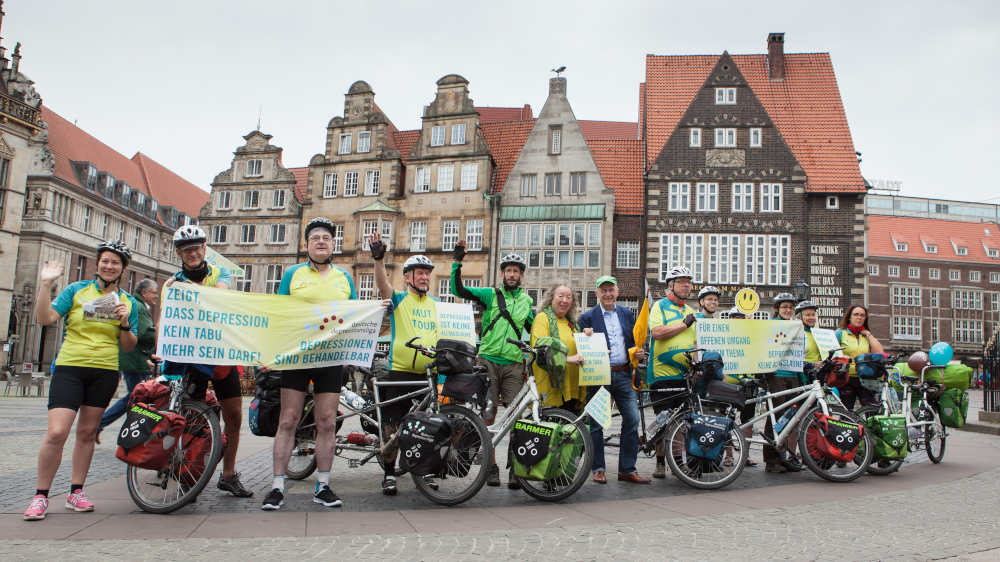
[149, 436]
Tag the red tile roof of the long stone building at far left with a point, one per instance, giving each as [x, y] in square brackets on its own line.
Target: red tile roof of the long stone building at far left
[70, 143]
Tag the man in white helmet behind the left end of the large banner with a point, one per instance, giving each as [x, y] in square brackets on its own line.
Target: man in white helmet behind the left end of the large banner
[189, 245]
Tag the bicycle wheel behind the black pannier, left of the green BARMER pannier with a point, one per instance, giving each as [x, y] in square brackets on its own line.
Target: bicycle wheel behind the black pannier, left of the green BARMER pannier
[463, 472]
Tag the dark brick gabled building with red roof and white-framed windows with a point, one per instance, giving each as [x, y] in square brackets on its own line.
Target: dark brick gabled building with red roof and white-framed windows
[752, 178]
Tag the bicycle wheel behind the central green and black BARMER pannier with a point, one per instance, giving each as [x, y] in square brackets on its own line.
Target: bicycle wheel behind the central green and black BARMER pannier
[575, 466]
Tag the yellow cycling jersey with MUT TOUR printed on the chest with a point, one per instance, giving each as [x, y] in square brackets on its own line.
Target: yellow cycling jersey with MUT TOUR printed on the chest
[412, 316]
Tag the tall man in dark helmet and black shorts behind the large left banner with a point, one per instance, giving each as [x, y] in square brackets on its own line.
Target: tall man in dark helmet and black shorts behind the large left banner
[315, 280]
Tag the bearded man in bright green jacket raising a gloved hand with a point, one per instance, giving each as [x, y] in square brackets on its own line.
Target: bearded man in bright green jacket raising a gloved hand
[506, 313]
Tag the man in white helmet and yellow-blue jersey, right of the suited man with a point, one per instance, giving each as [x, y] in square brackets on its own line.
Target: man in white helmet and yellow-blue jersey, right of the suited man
[671, 326]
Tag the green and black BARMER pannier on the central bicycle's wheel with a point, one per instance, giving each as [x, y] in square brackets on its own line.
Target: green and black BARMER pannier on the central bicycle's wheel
[538, 449]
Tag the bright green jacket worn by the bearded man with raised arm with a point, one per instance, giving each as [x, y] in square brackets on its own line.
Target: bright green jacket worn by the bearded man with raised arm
[493, 344]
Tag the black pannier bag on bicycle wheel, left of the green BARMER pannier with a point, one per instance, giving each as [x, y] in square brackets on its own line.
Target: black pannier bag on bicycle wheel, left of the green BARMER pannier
[423, 443]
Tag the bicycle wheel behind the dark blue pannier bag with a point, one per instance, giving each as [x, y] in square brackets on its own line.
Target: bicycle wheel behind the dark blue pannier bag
[702, 473]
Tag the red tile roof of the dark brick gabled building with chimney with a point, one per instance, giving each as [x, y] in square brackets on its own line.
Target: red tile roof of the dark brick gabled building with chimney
[806, 107]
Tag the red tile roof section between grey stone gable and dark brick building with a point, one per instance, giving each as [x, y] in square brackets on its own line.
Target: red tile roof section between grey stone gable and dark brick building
[620, 164]
